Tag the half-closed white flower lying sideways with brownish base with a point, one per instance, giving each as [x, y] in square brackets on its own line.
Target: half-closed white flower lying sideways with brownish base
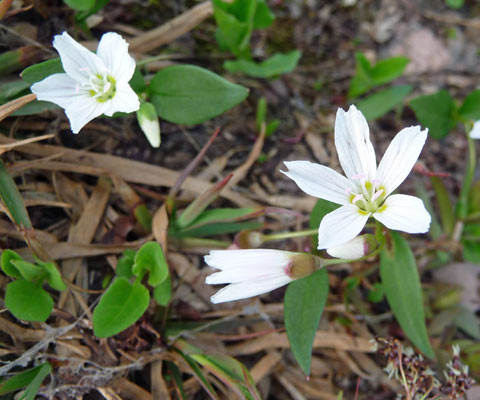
[256, 271]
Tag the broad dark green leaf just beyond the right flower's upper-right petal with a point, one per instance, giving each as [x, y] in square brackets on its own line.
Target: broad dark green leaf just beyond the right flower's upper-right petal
[436, 112]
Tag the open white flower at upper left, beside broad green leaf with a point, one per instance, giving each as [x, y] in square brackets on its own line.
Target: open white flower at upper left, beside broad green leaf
[94, 84]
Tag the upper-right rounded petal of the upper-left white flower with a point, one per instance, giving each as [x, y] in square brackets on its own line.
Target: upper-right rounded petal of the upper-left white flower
[113, 50]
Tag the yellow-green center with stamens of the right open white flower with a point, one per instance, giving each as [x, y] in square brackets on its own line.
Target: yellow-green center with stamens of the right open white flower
[368, 196]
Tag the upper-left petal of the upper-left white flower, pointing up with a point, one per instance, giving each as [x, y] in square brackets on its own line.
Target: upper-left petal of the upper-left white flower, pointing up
[78, 62]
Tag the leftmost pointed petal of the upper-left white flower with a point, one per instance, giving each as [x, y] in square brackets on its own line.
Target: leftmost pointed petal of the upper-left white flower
[60, 89]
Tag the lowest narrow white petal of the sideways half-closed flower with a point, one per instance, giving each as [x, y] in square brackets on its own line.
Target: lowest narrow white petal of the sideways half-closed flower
[243, 290]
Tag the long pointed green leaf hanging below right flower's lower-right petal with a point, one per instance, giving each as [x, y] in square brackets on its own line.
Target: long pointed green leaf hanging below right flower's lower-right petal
[401, 283]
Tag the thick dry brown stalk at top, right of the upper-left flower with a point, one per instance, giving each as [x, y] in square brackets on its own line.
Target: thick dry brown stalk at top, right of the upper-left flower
[172, 29]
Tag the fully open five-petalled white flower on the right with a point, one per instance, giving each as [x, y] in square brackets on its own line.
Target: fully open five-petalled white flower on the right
[366, 191]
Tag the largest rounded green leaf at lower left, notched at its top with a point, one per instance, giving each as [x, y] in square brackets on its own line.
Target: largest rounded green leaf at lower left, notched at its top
[120, 306]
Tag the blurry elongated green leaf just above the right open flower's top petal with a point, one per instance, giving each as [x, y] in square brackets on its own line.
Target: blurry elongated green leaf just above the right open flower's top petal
[381, 102]
